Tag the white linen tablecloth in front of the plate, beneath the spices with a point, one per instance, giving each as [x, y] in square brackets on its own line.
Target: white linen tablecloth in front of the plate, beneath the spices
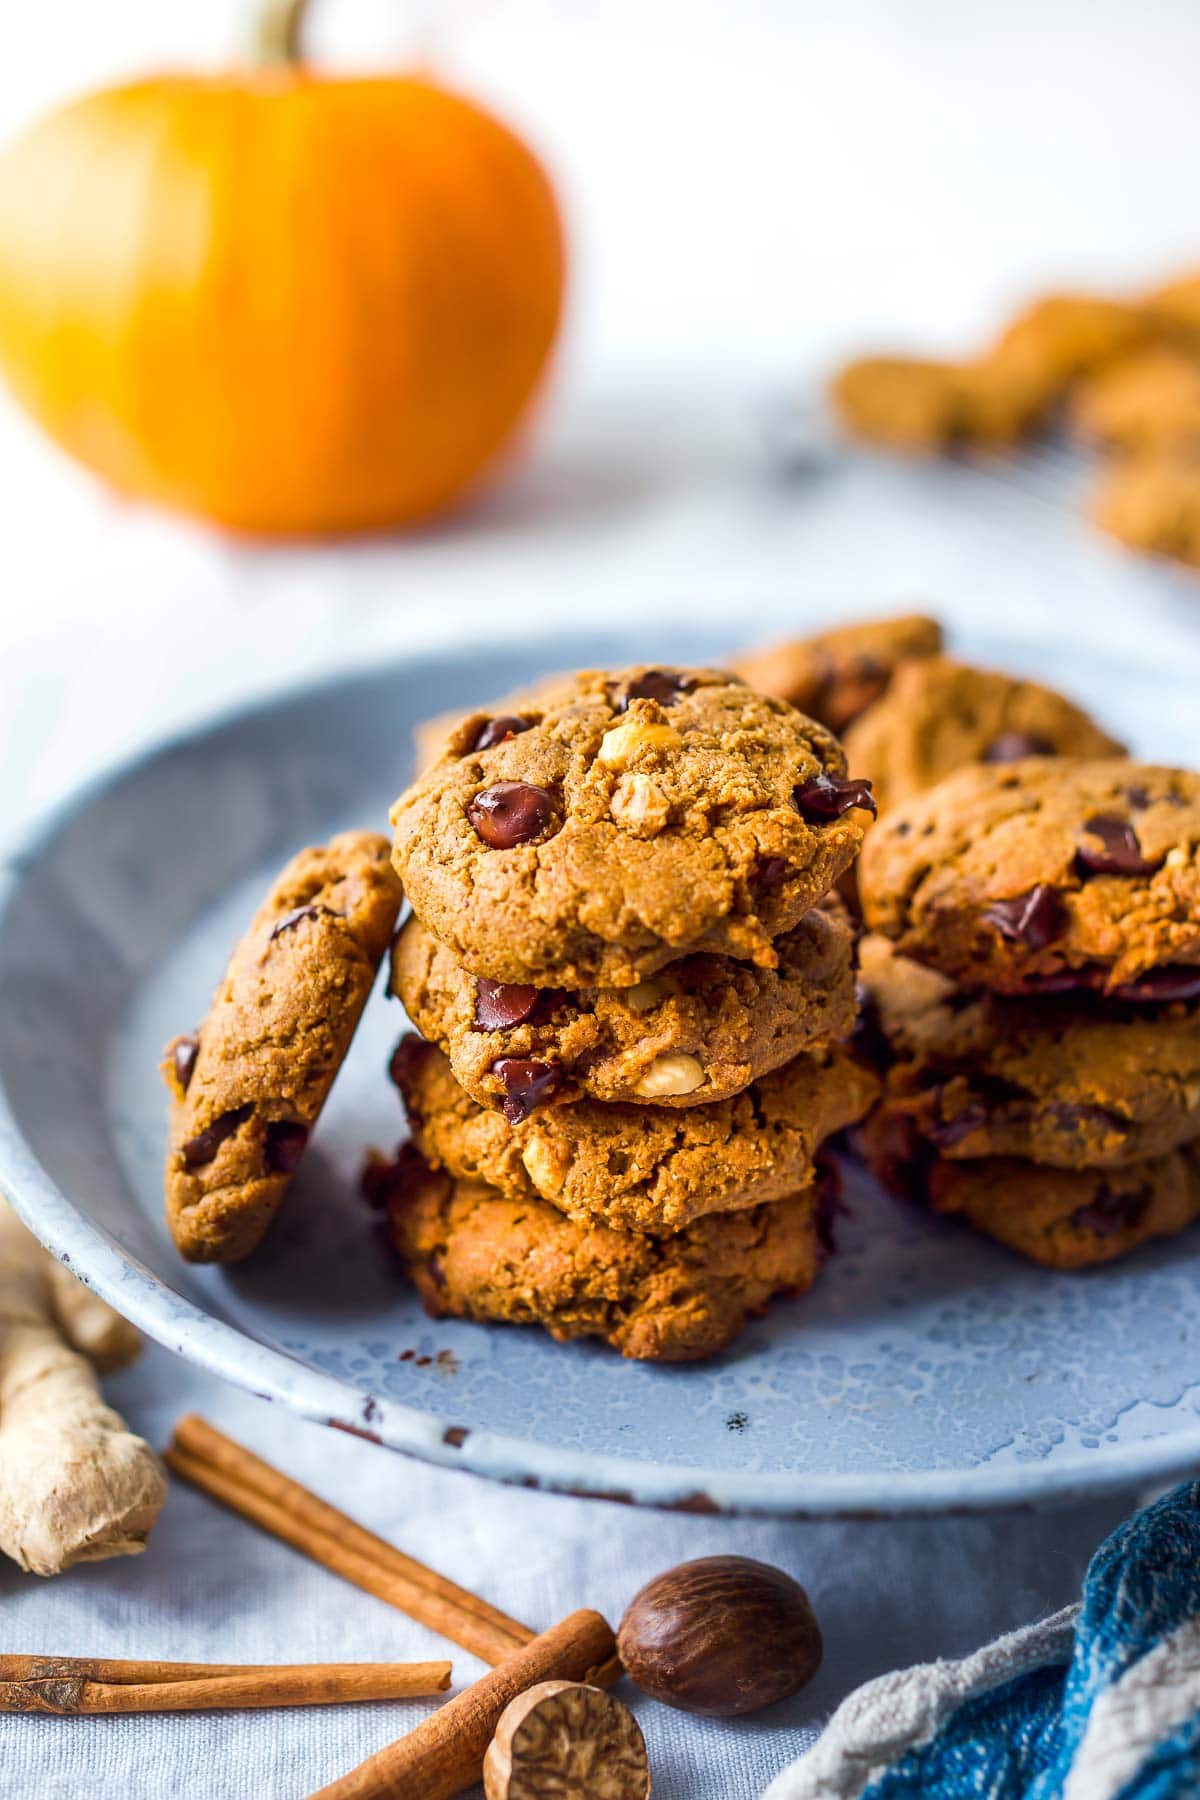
[213, 1588]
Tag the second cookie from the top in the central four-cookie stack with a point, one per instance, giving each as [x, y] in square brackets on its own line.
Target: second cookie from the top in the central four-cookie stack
[699, 1030]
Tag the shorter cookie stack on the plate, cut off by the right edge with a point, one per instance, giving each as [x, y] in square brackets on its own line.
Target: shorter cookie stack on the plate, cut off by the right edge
[1034, 980]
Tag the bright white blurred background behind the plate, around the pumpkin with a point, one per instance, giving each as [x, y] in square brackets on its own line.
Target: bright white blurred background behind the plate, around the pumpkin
[749, 188]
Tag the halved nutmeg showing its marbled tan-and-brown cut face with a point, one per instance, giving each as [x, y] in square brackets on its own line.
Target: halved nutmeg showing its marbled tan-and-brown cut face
[568, 1741]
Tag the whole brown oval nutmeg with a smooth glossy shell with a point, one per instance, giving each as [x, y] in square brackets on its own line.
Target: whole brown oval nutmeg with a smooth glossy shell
[721, 1637]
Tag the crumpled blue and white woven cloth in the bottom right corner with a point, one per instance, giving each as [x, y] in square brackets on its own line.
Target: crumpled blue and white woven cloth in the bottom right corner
[1102, 1702]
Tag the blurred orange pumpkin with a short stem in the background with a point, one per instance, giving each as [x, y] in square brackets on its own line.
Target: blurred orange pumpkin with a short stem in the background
[280, 301]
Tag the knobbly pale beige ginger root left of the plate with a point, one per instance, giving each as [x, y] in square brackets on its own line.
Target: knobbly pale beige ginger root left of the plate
[76, 1486]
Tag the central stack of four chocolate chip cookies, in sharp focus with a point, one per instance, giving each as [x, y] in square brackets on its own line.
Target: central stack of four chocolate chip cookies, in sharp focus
[632, 984]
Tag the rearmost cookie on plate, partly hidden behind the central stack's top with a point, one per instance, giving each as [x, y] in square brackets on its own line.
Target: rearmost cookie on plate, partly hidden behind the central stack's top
[836, 676]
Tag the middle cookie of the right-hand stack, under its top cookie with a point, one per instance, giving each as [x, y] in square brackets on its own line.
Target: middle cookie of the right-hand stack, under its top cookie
[1066, 1083]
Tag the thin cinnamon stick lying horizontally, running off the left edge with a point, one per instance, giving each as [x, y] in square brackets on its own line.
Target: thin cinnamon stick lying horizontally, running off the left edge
[76, 1686]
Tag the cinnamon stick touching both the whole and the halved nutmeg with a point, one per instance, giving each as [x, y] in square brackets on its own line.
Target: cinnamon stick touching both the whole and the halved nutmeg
[445, 1754]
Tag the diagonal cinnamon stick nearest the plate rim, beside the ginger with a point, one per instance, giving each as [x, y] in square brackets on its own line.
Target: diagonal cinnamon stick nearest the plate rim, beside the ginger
[269, 1498]
